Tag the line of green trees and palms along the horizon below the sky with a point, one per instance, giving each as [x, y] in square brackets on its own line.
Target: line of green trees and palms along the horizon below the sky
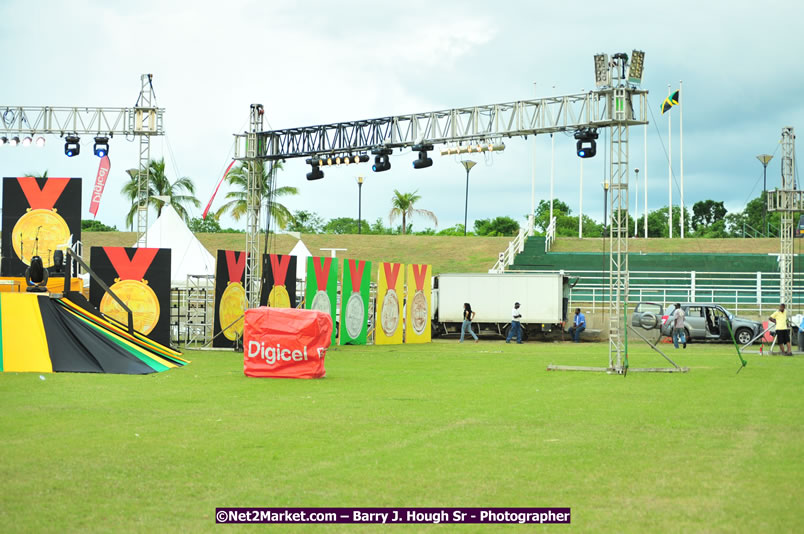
[707, 218]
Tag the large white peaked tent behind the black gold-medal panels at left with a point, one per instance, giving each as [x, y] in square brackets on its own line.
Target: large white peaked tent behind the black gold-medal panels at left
[188, 256]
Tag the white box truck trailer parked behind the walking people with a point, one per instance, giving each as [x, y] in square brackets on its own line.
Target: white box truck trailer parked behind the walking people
[492, 297]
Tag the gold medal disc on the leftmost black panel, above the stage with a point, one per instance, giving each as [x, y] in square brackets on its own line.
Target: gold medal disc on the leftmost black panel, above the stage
[38, 233]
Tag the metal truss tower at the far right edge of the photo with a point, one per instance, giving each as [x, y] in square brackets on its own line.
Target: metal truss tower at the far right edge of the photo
[786, 200]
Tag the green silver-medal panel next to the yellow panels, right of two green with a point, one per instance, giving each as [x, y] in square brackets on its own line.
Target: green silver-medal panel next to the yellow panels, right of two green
[354, 302]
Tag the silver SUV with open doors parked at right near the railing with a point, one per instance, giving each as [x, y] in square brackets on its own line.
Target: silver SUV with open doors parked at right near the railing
[702, 321]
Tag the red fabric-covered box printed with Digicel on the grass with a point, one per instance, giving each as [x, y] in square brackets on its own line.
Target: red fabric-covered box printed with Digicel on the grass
[285, 342]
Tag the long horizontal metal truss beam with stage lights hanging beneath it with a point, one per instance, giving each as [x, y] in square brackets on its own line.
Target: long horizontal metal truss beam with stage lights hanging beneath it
[520, 118]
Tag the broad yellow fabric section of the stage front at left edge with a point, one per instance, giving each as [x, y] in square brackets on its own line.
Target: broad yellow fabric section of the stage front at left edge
[24, 344]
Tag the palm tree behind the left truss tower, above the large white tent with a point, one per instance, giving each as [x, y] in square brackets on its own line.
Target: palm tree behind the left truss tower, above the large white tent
[180, 192]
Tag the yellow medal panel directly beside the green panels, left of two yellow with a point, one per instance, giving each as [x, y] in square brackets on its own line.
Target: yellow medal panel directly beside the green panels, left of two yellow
[390, 292]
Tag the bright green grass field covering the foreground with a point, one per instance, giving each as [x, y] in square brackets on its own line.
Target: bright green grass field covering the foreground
[443, 424]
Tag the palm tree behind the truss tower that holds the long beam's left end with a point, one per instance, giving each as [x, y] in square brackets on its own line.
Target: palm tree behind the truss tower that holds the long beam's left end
[237, 203]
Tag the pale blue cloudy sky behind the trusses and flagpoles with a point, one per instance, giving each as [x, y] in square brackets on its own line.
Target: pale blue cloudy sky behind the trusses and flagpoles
[319, 62]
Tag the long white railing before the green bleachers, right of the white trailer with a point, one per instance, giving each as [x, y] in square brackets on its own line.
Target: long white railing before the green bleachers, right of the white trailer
[752, 293]
